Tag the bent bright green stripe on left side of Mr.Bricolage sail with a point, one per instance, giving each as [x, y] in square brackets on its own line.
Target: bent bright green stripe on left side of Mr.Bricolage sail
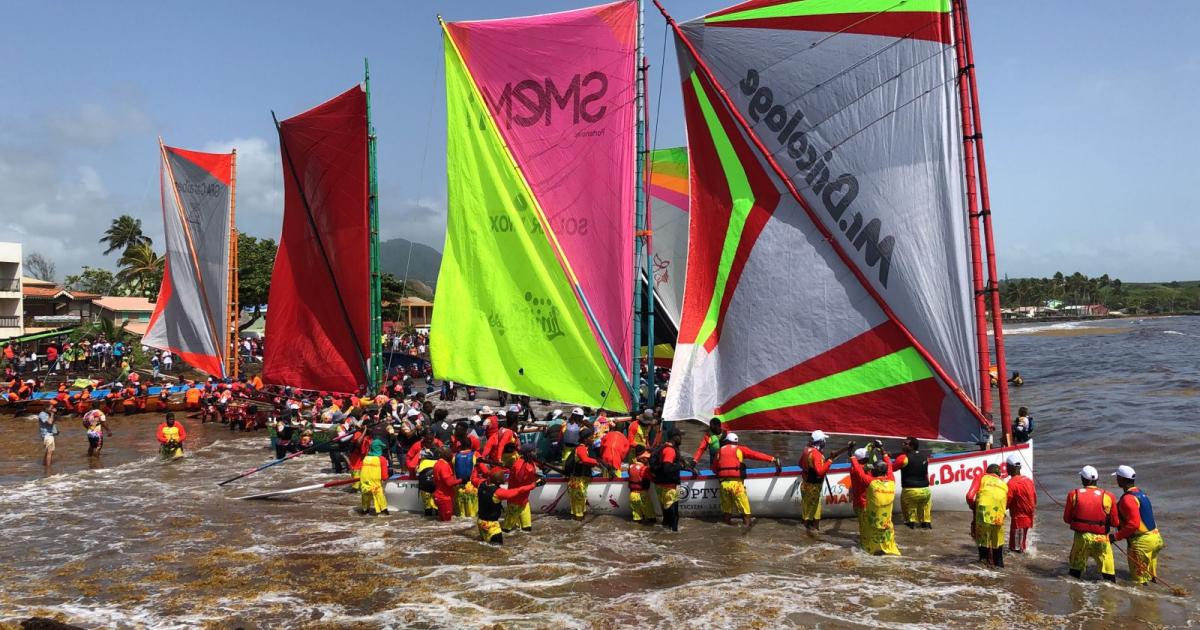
[743, 201]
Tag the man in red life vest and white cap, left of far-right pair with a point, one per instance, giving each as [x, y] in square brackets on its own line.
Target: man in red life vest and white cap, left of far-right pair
[1091, 512]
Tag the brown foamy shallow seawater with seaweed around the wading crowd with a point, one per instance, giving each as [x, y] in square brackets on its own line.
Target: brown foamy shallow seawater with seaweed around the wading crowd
[127, 542]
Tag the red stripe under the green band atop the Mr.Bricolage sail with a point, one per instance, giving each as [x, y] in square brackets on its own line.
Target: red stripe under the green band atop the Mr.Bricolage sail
[904, 25]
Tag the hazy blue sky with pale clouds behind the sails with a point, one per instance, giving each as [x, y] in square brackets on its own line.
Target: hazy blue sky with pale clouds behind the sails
[1089, 117]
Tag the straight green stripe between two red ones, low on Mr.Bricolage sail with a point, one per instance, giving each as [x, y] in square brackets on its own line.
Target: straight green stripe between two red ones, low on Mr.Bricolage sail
[897, 369]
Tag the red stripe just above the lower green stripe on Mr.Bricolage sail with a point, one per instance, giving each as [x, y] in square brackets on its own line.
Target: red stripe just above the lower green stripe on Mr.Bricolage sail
[880, 341]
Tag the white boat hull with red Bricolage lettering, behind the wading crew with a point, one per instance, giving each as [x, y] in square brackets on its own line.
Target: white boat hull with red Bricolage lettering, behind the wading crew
[771, 495]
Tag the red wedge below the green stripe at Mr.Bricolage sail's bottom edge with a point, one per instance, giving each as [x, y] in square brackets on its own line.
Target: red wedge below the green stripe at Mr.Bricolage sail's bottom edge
[915, 409]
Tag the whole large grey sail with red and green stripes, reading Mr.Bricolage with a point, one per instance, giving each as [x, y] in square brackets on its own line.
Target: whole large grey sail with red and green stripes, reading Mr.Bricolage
[829, 269]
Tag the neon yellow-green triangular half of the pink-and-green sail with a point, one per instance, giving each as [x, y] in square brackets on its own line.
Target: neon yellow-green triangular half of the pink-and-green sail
[506, 315]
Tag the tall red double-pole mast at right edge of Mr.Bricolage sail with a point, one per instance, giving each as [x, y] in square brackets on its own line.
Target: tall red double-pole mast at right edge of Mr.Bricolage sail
[964, 28]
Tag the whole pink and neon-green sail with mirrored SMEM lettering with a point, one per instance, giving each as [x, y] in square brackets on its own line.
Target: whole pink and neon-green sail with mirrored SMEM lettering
[536, 290]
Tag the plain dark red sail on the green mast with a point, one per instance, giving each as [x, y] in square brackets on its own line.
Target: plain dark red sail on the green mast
[319, 319]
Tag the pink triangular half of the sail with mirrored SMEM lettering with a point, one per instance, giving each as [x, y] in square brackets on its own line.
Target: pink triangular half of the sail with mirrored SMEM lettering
[561, 89]
